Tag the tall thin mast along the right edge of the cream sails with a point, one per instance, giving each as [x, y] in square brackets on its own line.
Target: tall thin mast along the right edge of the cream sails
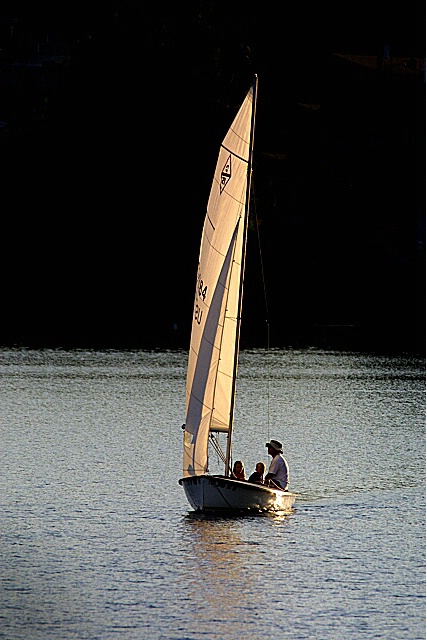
[242, 273]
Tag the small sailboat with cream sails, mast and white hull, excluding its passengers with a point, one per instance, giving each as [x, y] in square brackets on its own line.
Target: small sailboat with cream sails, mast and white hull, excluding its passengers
[215, 334]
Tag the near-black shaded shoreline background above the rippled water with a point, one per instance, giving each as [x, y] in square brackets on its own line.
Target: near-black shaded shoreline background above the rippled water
[110, 126]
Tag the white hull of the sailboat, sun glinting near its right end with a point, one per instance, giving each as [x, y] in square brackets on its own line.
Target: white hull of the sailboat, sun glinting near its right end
[210, 494]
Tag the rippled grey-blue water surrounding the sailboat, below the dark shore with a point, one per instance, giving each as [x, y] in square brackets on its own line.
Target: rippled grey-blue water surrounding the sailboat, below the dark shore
[98, 540]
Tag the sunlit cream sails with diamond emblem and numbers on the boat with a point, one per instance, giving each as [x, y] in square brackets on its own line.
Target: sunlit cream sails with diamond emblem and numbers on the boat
[216, 317]
